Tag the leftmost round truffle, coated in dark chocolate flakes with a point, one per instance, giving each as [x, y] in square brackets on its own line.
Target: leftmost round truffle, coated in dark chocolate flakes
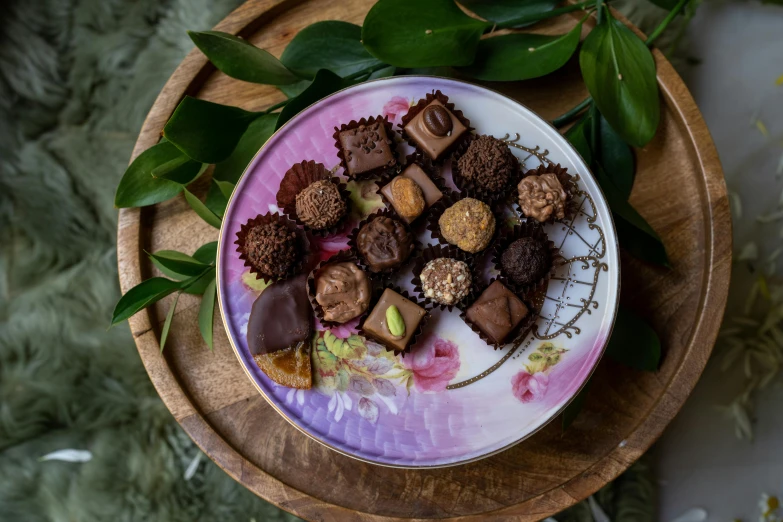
[271, 248]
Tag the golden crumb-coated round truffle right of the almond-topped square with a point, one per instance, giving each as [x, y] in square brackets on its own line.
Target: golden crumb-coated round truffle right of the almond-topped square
[468, 224]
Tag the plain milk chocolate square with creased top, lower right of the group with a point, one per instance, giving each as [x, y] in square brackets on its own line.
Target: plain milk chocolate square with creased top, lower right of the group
[497, 312]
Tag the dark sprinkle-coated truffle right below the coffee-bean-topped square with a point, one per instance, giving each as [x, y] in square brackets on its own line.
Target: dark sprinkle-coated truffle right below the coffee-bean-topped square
[488, 163]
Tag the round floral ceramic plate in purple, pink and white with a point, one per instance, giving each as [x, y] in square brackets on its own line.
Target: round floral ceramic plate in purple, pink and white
[454, 399]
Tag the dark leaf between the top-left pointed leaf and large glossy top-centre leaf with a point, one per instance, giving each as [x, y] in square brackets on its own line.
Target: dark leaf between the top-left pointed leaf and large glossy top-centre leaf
[333, 45]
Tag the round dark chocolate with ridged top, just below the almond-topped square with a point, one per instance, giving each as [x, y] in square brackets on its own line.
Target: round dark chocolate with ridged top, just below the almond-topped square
[384, 243]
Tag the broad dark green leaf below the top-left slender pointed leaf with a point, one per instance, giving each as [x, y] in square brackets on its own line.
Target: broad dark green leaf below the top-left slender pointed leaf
[205, 131]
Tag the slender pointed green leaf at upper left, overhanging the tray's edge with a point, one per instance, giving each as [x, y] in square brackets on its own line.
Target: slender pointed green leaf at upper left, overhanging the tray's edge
[242, 60]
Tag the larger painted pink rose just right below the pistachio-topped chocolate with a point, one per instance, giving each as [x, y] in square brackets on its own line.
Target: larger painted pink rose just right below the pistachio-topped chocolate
[434, 364]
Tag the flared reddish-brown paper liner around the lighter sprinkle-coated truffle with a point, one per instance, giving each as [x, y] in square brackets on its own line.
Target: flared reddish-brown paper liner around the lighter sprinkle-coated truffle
[299, 177]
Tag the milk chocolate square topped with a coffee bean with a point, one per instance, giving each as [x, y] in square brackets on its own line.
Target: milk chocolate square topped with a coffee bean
[431, 132]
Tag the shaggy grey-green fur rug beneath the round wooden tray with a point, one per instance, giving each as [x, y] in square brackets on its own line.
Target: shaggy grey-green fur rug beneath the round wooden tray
[77, 78]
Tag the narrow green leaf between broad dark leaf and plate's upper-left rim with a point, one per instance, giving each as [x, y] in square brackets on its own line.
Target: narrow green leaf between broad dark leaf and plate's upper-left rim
[231, 168]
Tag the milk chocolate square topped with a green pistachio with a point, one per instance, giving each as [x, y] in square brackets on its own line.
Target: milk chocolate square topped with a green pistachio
[376, 326]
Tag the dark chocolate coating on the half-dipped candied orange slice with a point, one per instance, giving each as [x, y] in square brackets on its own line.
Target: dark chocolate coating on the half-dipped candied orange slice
[281, 317]
